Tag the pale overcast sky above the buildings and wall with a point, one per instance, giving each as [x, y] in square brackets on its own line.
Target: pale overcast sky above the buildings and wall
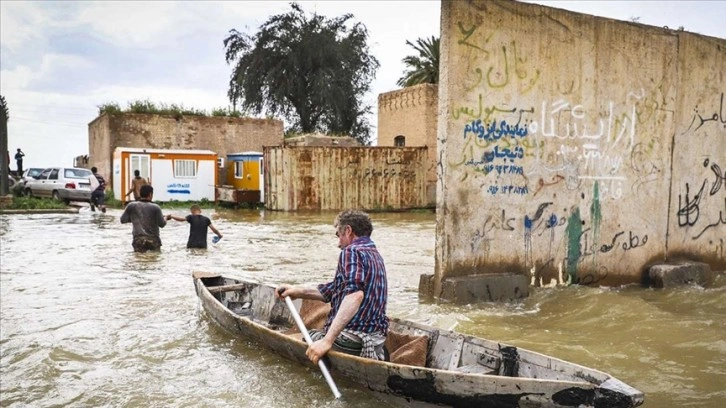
[60, 60]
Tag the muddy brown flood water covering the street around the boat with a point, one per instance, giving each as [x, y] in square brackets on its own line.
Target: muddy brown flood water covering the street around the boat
[85, 321]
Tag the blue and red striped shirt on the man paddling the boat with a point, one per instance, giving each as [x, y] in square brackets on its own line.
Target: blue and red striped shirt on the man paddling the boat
[360, 267]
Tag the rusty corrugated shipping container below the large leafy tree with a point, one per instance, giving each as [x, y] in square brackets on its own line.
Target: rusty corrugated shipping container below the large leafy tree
[335, 178]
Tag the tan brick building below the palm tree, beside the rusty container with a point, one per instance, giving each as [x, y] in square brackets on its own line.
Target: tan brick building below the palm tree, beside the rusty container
[413, 113]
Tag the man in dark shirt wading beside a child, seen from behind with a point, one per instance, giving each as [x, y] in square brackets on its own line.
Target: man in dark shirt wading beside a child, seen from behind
[146, 218]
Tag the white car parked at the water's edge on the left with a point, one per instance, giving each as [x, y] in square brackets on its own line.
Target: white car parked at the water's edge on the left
[62, 183]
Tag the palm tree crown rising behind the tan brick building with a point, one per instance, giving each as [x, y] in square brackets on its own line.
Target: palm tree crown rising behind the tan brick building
[424, 68]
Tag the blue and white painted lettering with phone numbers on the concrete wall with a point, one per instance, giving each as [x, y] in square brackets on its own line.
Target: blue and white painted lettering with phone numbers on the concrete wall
[555, 140]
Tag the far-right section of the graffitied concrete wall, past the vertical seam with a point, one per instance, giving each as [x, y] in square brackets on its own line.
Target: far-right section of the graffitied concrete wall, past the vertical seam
[697, 209]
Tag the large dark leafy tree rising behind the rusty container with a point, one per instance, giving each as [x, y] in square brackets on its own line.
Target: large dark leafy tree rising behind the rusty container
[313, 71]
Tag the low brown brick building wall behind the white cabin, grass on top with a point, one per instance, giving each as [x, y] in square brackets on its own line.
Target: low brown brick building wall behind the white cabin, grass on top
[222, 135]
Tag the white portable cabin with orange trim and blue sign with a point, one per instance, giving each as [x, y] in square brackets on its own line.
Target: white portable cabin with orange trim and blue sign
[176, 175]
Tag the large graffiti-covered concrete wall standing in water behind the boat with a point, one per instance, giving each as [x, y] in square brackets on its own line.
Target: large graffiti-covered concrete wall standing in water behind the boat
[559, 135]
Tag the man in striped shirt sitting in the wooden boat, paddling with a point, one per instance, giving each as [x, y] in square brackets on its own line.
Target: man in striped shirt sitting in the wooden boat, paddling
[357, 323]
